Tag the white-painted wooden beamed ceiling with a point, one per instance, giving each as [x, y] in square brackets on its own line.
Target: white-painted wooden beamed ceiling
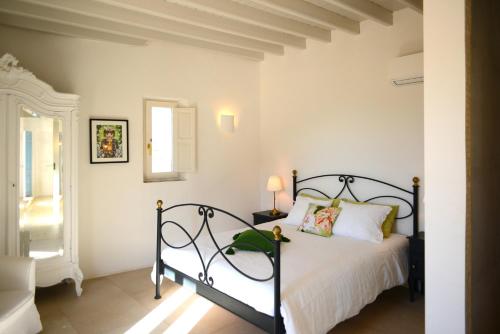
[247, 28]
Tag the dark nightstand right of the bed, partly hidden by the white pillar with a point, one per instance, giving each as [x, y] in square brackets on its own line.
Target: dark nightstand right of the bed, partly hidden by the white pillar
[416, 278]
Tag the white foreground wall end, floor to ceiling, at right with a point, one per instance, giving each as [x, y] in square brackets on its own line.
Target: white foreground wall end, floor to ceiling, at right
[444, 31]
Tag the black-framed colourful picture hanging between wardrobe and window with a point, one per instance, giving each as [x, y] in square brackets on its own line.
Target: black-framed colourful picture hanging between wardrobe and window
[108, 141]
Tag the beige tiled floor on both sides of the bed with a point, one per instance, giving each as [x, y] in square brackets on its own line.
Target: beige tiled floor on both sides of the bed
[124, 303]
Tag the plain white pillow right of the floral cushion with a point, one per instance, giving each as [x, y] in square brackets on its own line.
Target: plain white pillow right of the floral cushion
[363, 222]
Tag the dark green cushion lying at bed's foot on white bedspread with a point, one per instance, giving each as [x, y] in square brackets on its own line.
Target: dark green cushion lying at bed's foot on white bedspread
[251, 240]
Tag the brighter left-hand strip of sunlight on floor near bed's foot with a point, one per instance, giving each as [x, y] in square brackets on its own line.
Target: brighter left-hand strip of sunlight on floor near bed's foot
[161, 312]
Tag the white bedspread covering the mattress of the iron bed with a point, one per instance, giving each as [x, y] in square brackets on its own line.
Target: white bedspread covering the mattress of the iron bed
[323, 280]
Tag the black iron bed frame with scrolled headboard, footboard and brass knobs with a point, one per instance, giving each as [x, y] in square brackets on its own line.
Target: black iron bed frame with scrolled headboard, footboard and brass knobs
[204, 284]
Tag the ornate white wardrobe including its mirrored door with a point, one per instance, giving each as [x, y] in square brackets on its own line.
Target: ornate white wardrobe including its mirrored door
[38, 174]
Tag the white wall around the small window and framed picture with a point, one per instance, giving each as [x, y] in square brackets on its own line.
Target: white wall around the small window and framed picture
[117, 210]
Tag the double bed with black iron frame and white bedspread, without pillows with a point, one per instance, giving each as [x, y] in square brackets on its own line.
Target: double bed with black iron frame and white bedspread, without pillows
[338, 276]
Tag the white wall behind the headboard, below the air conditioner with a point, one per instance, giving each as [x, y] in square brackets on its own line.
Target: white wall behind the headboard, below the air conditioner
[331, 108]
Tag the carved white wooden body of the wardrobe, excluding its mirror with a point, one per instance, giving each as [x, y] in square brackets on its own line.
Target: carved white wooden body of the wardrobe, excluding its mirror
[20, 90]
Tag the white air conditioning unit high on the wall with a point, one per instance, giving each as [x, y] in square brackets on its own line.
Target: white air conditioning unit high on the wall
[407, 70]
